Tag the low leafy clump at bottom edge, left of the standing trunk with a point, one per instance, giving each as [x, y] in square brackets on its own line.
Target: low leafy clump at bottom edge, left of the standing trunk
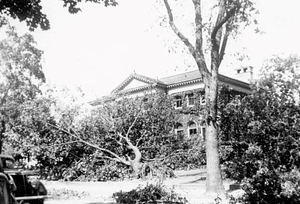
[151, 193]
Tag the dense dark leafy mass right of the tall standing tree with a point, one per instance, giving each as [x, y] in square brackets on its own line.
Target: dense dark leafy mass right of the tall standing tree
[265, 136]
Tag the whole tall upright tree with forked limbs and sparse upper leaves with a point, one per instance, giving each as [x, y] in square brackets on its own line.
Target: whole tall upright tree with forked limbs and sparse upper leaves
[228, 16]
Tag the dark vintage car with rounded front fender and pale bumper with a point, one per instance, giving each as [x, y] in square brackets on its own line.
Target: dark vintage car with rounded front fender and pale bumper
[25, 188]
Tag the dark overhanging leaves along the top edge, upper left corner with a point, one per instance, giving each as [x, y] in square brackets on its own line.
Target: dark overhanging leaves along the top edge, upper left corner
[31, 11]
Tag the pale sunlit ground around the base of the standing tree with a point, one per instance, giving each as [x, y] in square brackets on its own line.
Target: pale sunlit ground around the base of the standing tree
[189, 184]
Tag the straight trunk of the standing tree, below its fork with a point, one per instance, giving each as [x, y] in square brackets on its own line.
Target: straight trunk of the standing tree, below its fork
[214, 184]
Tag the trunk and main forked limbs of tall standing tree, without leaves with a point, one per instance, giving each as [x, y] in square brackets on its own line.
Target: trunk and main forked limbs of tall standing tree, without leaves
[210, 78]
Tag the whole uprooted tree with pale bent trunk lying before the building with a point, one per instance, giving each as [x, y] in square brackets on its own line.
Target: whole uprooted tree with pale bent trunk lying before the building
[131, 131]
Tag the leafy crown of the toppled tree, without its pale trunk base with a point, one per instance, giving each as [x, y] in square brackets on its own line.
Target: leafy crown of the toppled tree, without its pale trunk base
[64, 137]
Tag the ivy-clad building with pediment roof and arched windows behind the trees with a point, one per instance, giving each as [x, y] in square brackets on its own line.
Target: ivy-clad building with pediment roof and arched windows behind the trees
[187, 89]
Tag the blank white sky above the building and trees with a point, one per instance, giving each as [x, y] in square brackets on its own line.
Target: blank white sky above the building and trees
[100, 47]
